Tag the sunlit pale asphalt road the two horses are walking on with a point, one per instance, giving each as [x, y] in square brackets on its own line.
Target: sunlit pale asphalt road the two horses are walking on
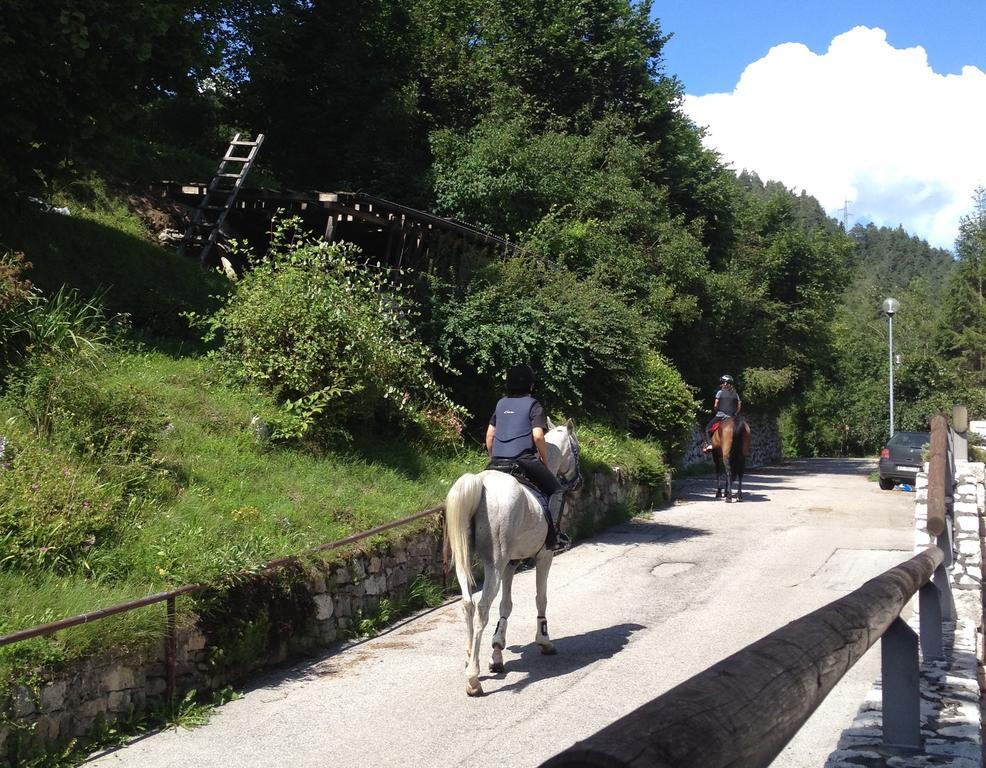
[632, 612]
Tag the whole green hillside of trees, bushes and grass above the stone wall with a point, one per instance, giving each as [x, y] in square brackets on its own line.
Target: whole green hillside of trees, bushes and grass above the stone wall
[161, 424]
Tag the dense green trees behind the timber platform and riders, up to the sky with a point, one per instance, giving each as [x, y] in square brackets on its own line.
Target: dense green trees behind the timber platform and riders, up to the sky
[554, 123]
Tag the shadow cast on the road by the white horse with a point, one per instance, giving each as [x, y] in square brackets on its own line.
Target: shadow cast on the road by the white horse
[574, 653]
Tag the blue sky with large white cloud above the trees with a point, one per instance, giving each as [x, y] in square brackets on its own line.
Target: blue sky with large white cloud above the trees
[878, 103]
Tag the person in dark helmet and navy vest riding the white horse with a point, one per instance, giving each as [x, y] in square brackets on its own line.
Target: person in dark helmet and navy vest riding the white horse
[516, 432]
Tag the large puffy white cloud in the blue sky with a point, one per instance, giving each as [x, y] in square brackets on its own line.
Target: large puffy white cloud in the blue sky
[865, 122]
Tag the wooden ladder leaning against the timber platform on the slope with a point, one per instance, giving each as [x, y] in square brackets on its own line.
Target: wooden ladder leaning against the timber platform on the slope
[207, 220]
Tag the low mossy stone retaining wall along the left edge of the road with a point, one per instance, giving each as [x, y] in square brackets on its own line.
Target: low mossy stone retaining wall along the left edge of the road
[322, 611]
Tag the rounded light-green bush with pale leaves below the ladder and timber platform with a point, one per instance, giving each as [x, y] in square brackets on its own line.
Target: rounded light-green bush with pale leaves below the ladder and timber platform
[331, 339]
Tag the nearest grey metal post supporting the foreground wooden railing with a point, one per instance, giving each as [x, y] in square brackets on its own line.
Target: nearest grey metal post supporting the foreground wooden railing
[901, 686]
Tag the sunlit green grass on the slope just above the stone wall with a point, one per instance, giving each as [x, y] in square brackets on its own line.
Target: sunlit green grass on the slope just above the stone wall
[234, 504]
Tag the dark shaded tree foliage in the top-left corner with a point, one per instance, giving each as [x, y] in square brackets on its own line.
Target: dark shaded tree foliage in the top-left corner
[75, 76]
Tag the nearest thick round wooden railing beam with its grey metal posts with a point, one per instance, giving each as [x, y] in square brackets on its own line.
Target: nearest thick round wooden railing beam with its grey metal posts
[744, 710]
